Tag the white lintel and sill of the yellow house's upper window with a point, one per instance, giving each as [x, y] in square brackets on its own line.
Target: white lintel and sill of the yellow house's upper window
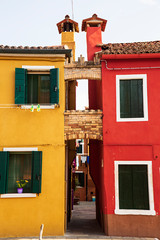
[38, 68]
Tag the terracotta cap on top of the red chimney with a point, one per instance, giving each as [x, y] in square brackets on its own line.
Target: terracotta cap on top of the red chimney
[94, 21]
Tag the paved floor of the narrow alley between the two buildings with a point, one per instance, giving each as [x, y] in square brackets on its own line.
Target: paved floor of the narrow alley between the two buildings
[83, 222]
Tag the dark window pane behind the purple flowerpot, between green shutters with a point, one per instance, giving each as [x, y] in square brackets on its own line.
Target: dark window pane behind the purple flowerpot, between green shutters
[20, 166]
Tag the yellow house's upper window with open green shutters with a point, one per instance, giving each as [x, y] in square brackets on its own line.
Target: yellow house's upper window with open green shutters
[36, 87]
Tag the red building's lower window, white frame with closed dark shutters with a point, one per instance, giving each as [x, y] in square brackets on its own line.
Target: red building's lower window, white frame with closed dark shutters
[134, 191]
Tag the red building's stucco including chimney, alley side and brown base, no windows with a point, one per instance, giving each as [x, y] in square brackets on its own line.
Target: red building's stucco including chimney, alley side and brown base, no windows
[124, 141]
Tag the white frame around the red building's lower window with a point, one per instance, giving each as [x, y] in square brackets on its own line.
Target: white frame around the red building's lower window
[119, 211]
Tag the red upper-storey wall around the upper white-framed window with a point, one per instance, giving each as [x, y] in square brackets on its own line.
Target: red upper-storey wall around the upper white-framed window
[131, 132]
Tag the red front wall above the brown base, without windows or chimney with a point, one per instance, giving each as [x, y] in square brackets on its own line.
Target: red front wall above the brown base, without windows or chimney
[128, 141]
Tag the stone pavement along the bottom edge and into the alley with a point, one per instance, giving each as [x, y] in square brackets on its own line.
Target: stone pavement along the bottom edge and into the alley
[83, 226]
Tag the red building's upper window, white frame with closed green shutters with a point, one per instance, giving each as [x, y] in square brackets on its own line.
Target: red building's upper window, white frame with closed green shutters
[132, 98]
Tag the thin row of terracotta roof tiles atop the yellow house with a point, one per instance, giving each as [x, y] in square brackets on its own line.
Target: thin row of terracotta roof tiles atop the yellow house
[33, 48]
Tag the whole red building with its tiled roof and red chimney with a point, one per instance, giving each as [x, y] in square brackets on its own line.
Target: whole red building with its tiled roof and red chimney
[126, 166]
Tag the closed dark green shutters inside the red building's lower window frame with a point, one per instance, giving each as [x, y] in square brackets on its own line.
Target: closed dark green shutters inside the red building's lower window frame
[133, 187]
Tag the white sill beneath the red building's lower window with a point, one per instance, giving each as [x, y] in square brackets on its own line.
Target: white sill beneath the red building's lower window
[134, 212]
